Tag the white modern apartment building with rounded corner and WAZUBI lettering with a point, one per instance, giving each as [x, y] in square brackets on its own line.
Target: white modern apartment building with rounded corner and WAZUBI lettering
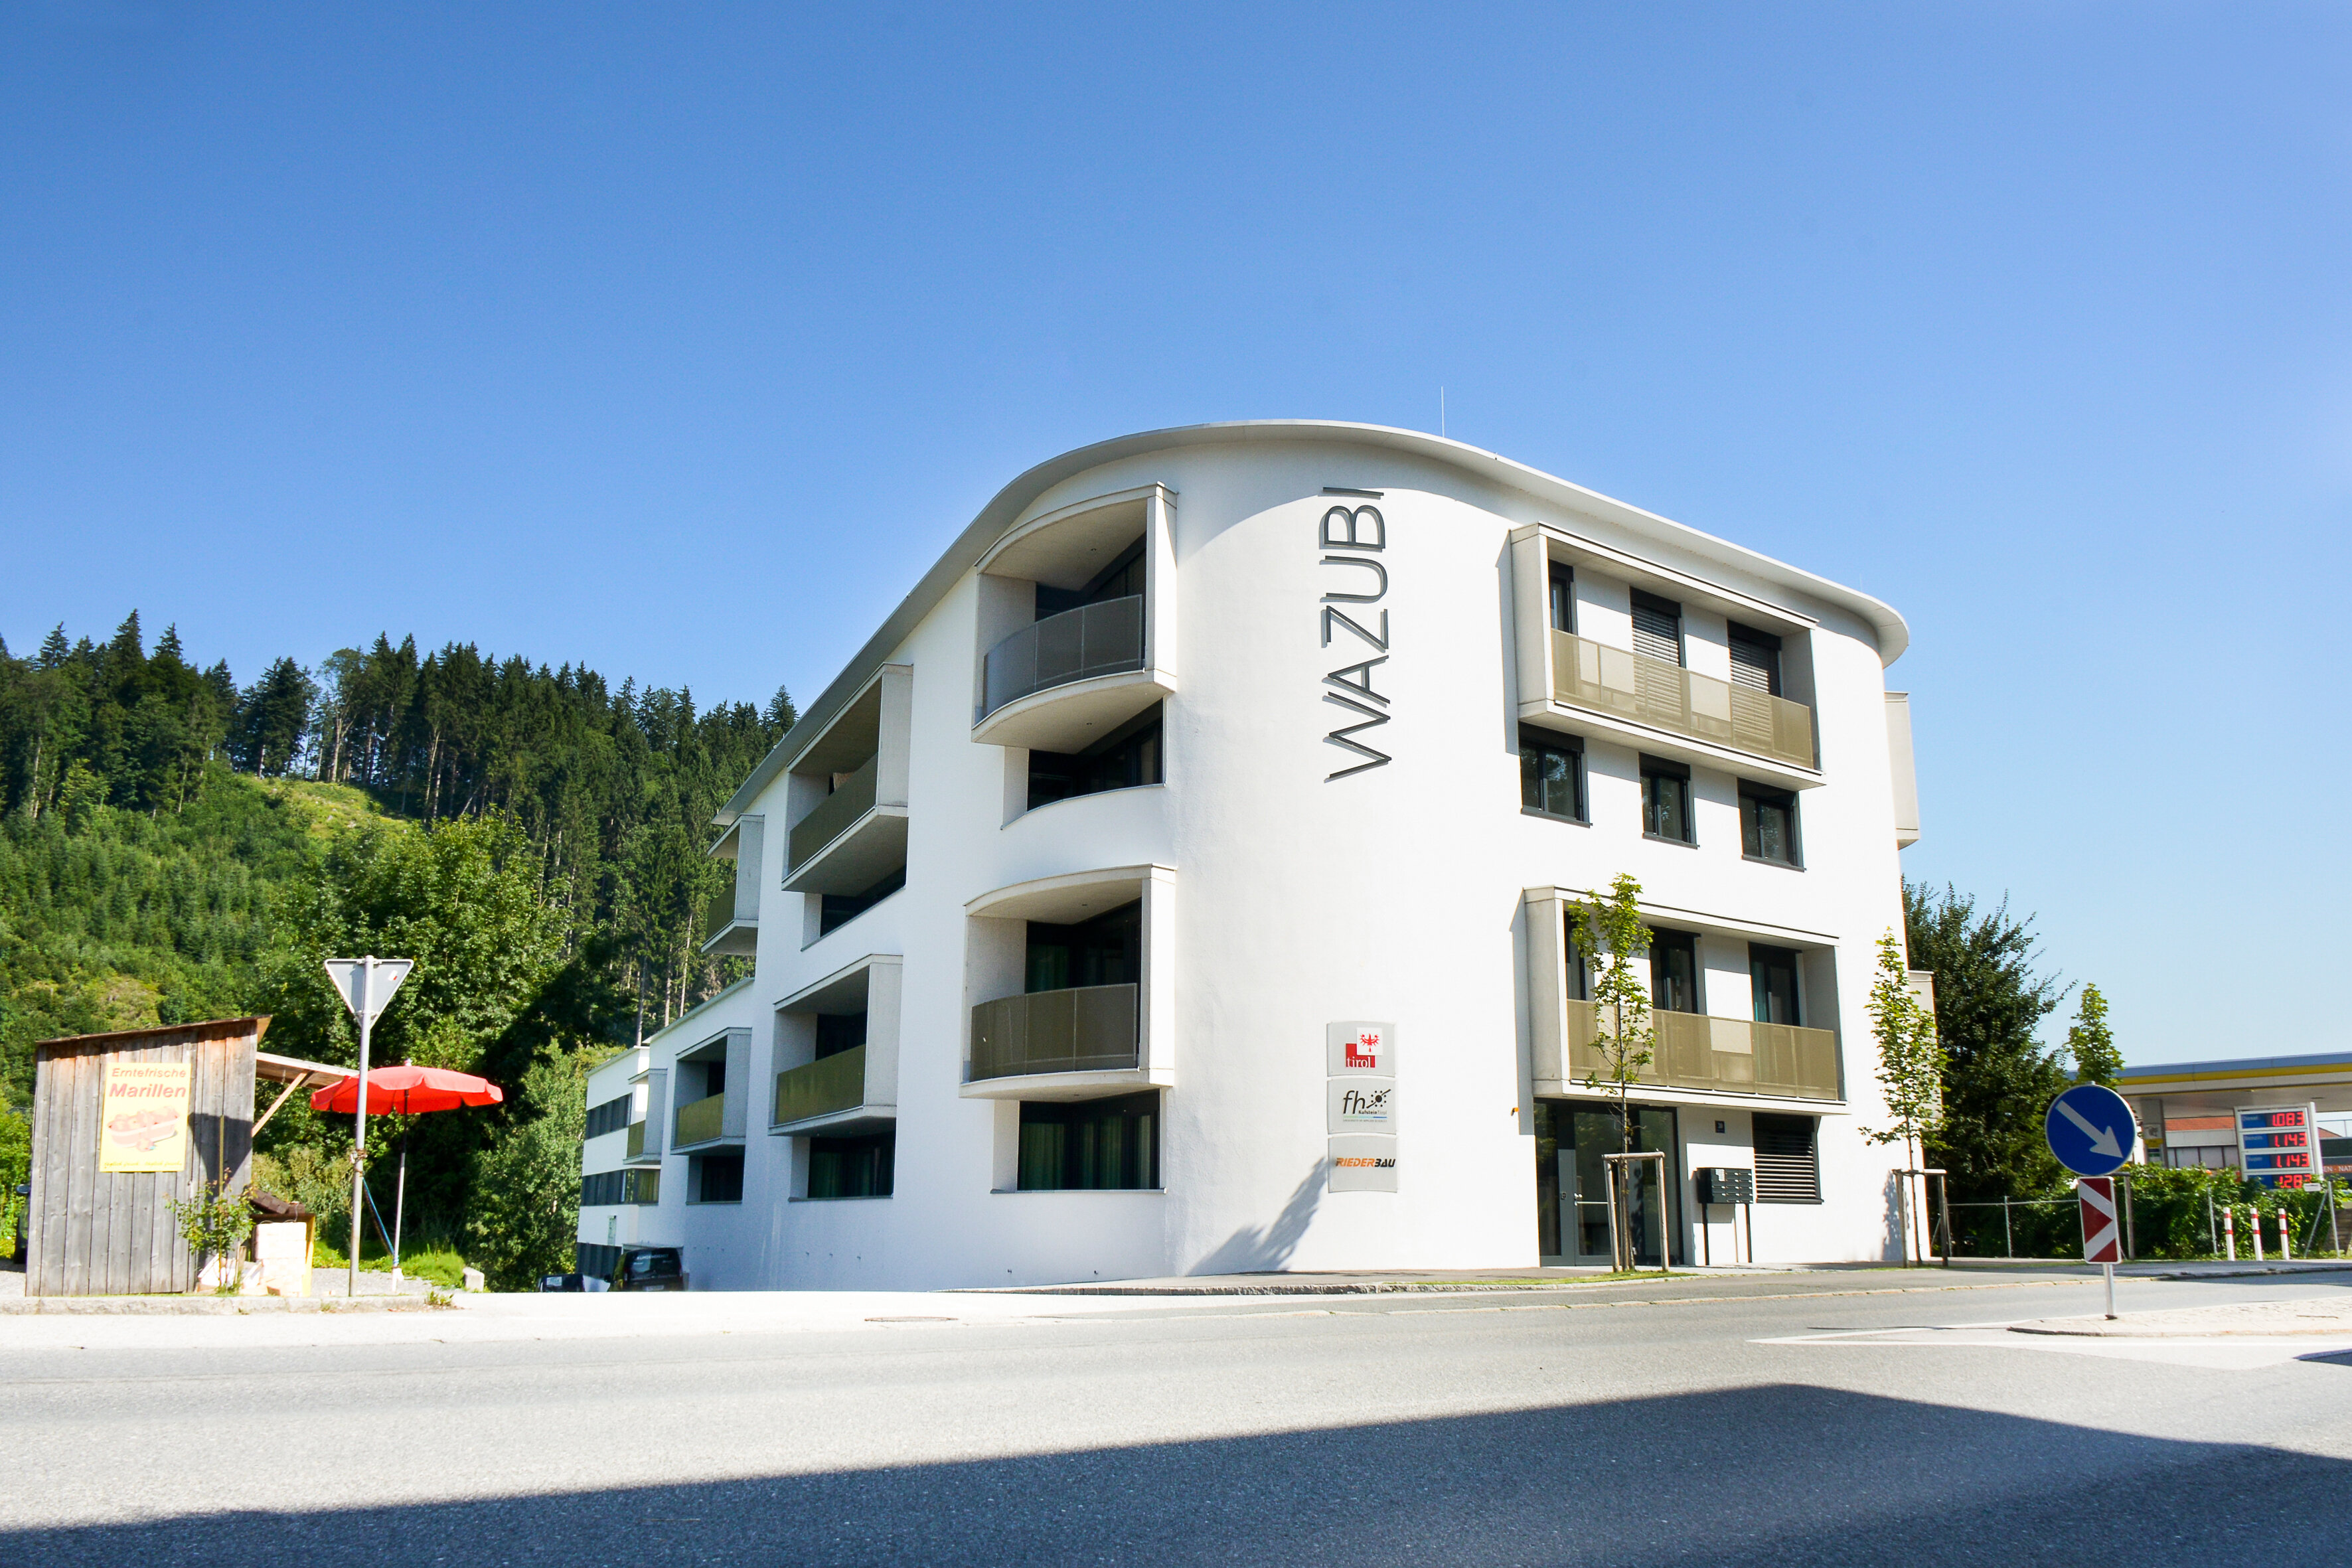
[1177, 883]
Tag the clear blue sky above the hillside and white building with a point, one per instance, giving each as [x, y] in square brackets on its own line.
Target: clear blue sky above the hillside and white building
[679, 342]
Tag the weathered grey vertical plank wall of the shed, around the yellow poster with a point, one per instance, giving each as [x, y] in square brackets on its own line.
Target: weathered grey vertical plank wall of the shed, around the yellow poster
[98, 1233]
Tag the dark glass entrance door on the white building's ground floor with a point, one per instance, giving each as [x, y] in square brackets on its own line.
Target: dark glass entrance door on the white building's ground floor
[1572, 1184]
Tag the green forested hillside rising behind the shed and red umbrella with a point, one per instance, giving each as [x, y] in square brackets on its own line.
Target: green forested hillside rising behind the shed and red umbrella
[175, 845]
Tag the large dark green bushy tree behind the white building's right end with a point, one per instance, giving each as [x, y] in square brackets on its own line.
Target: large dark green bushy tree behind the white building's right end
[1998, 1078]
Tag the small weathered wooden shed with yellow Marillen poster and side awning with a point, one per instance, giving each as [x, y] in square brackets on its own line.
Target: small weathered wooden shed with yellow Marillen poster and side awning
[128, 1123]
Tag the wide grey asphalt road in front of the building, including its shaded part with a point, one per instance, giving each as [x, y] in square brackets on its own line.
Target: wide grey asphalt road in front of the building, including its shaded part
[1763, 1421]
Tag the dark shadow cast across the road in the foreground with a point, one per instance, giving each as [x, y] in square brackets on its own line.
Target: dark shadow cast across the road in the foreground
[1763, 1475]
